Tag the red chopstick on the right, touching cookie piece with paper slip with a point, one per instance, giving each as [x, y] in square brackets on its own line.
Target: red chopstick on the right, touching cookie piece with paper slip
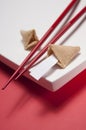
[54, 39]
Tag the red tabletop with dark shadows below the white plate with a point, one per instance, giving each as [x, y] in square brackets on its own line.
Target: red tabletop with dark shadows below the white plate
[26, 106]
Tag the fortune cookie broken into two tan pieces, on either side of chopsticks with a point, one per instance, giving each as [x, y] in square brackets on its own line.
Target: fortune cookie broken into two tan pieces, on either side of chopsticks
[64, 54]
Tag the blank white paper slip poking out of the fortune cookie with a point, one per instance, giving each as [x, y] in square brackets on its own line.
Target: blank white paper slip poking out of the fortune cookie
[43, 67]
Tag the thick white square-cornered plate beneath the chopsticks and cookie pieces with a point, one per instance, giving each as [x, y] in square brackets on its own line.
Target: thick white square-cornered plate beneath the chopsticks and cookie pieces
[28, 14]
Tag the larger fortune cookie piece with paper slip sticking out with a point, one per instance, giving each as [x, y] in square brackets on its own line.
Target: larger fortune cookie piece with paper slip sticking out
[64, 54]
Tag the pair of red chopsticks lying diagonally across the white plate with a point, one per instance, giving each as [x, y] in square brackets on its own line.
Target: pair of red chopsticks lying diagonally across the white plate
[20, 69]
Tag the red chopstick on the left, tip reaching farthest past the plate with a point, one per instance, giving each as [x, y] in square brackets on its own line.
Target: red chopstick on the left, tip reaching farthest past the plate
[50, 30]
